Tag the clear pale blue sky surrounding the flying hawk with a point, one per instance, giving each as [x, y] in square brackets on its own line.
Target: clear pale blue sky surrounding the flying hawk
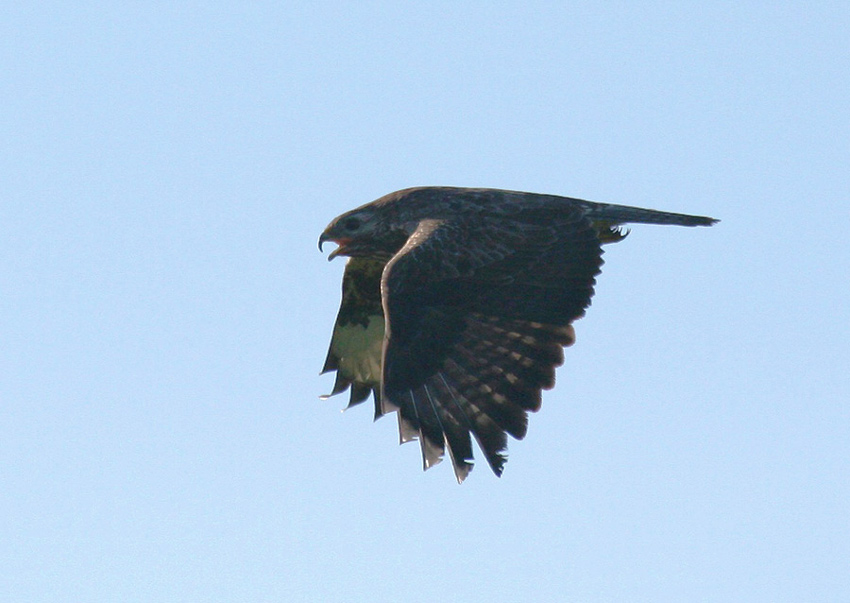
[165, 171]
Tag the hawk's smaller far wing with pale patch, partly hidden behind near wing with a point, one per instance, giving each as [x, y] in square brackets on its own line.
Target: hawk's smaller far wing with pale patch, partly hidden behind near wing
[355, 350]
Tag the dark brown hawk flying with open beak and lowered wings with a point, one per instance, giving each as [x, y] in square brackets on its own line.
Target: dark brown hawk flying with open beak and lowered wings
[457, 303]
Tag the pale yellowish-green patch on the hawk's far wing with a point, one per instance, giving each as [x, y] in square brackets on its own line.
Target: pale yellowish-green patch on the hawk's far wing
[359, 350]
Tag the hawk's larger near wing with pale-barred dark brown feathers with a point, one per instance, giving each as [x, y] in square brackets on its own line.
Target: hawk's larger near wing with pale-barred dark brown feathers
[477, 312]
